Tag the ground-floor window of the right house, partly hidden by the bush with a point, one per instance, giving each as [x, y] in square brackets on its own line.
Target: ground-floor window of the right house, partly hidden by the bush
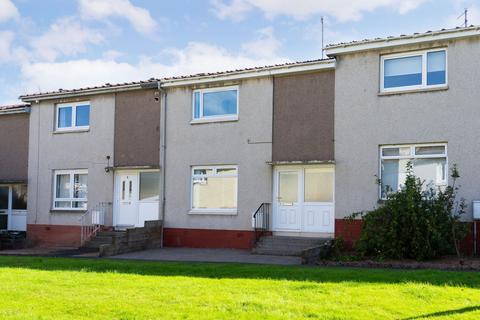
[429, 161]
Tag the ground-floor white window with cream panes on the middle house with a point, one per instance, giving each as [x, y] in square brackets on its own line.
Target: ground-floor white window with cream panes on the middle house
[214, 189]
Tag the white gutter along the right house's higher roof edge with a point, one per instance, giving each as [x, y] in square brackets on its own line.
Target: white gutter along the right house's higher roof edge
[335, 50]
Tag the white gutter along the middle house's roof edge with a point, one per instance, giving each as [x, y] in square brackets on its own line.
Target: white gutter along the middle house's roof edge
[274, 71]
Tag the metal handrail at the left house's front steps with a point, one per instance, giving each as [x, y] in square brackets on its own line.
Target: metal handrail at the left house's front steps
[92, 221]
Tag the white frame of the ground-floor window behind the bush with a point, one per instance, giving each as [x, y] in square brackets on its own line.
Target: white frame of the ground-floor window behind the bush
[412, 156]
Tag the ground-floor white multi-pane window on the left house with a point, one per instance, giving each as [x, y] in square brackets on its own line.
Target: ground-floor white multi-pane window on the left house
[70, 190]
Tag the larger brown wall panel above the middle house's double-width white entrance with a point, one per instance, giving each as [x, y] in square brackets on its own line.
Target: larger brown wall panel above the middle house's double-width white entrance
[303, 117]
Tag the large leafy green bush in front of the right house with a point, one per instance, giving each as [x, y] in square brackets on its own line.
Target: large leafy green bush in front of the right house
[414, 223]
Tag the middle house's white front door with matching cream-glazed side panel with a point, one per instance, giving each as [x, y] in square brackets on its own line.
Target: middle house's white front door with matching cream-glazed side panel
[304, 199]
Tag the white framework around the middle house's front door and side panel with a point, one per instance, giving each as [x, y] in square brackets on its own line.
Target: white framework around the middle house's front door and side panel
[300, 168]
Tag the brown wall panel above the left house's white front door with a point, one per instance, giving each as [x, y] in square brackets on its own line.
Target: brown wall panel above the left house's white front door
[137, 129]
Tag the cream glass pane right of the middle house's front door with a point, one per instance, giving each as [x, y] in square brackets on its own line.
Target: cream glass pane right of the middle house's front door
[318, 185]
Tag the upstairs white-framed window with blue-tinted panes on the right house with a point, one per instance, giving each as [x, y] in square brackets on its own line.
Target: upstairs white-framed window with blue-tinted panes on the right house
[413, 70]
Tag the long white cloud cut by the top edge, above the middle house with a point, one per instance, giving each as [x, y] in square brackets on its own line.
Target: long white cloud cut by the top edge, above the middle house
[343, 10]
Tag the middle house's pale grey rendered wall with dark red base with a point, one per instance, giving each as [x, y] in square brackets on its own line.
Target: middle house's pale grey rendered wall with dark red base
[218, 144]
